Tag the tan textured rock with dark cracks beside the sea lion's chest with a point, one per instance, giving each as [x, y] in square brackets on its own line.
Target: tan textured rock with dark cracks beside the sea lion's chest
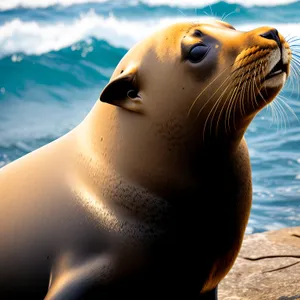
[274, 278]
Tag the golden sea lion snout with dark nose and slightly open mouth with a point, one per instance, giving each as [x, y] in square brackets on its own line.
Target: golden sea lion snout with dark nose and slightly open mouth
[266, 59]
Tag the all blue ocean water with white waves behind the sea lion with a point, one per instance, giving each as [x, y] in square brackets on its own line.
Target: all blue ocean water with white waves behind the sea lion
[57, 55]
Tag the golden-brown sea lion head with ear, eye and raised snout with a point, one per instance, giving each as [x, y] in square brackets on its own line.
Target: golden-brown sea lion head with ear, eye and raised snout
[201, 79]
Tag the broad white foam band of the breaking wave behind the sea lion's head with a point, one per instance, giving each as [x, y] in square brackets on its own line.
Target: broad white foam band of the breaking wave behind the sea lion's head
[37, 38]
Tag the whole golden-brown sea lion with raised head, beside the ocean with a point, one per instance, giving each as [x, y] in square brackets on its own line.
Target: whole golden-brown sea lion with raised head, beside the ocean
[150, 195]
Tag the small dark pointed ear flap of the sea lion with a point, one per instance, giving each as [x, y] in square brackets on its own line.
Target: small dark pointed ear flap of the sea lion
[123, 92]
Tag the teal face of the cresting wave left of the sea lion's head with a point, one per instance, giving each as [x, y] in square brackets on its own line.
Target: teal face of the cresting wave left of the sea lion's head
[87, 64]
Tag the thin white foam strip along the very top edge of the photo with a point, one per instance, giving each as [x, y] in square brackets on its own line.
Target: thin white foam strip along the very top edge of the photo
[12, 4]
